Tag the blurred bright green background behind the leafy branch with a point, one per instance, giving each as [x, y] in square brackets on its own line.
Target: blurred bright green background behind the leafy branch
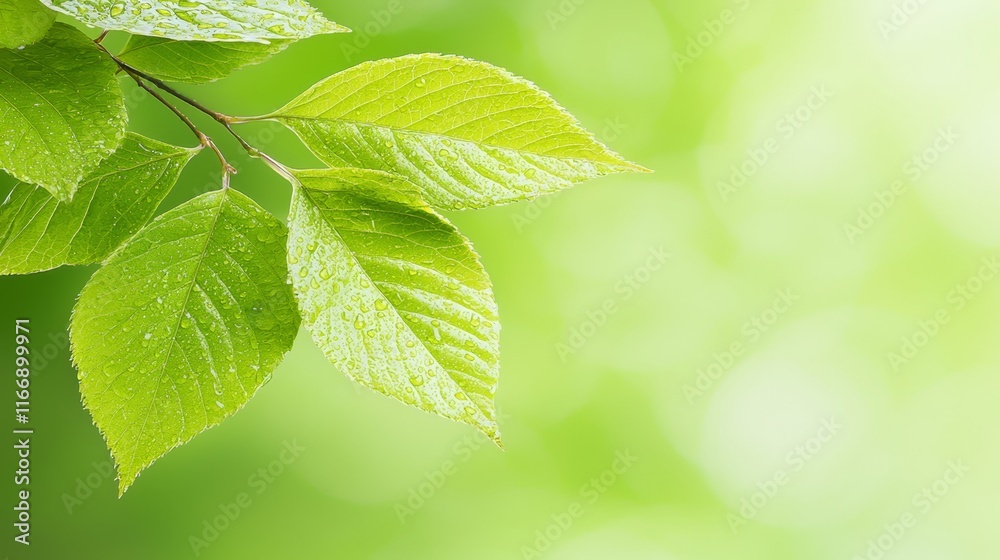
[811, 373]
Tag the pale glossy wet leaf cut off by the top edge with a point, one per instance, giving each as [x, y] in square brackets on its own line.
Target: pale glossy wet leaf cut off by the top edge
[257, 21]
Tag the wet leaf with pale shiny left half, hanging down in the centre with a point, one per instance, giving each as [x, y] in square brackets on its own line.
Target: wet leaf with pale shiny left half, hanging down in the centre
[394, 295]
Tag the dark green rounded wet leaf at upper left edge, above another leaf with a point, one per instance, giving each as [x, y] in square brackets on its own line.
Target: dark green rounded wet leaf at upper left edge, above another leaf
[61, 110]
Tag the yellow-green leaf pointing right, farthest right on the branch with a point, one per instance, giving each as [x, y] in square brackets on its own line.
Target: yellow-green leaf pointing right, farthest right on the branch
[469, 134]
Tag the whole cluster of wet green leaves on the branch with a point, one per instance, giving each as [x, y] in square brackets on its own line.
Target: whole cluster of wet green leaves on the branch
[190, 313]
